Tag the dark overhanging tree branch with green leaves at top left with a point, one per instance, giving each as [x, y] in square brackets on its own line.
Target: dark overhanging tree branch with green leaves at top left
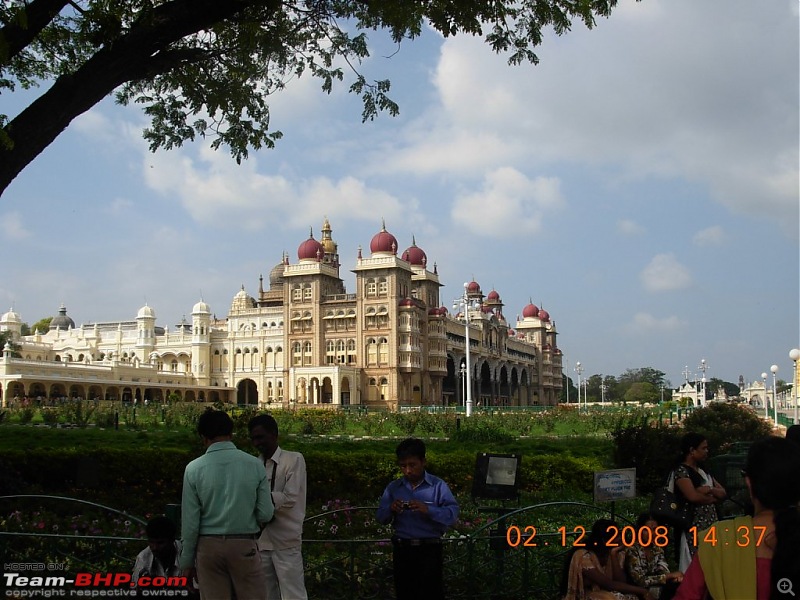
[205, 68]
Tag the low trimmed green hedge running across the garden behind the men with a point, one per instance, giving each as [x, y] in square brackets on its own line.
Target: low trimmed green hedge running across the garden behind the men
[145, 483]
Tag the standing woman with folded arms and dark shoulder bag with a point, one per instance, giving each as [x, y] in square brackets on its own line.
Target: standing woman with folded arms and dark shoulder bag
[698, 488]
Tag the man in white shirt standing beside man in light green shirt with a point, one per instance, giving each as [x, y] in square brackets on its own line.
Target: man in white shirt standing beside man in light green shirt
[281, 540]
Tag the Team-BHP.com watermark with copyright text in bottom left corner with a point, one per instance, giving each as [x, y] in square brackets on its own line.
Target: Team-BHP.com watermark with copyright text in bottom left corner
[50, 580]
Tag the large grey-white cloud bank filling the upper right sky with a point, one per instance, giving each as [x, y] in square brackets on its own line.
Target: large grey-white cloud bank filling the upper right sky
[716, 112]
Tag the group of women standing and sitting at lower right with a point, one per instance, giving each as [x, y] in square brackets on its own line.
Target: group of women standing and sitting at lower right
[753, 557]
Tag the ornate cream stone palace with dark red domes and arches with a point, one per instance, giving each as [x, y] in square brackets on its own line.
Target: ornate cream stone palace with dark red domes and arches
[304, 341]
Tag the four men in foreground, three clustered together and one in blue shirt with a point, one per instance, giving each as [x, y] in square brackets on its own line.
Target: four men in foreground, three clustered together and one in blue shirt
[242, 520]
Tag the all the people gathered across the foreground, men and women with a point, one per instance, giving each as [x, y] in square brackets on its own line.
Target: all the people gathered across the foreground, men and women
[242, 522]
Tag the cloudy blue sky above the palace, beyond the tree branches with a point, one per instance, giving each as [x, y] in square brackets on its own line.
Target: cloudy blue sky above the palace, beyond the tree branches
[640, 183]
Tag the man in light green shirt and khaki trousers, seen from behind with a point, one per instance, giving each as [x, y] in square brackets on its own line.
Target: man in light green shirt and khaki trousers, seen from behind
[225, 503]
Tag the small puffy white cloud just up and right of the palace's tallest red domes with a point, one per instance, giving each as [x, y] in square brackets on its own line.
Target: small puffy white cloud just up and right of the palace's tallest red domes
[508, 203]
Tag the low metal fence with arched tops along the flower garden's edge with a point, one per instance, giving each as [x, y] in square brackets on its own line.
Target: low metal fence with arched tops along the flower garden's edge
[517, 555]
